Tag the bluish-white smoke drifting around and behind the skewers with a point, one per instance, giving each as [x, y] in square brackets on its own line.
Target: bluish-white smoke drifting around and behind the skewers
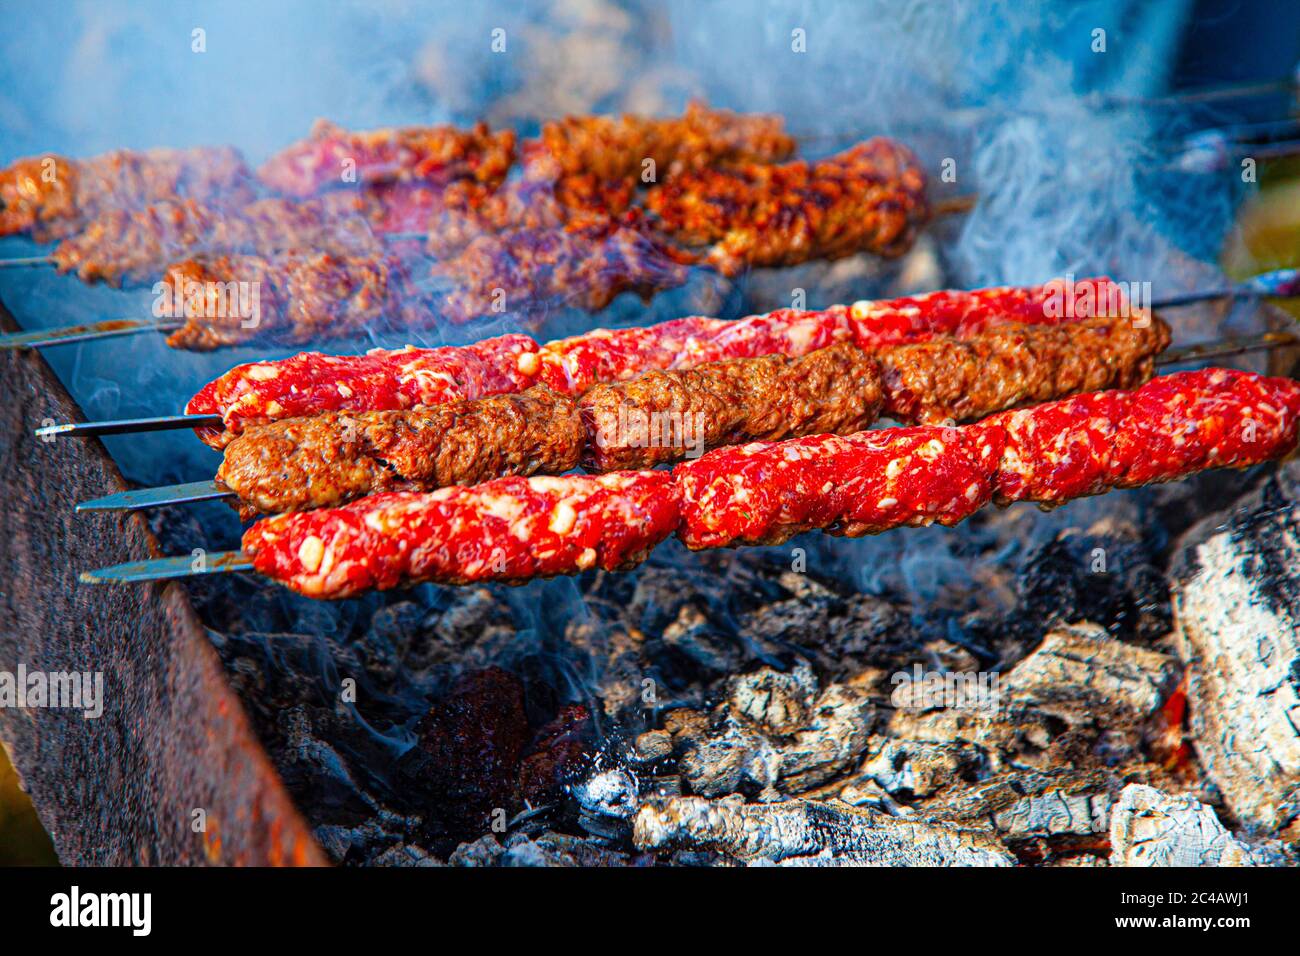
[1009, 97]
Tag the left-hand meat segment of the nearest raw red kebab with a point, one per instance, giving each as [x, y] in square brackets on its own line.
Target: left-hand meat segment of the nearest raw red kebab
[509, 530]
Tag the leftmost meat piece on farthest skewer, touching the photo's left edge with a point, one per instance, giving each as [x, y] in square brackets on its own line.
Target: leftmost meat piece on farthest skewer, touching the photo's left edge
[54, 197]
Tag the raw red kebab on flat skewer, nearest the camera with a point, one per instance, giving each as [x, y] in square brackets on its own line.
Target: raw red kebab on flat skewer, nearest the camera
[519, 529]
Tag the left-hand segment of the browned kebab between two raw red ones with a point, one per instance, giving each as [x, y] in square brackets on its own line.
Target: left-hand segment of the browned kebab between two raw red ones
[327, 460]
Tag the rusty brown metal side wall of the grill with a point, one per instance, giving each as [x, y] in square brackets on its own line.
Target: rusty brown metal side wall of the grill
[174, 738]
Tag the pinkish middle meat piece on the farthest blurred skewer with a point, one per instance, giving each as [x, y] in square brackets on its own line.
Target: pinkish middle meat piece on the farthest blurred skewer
[414, 154]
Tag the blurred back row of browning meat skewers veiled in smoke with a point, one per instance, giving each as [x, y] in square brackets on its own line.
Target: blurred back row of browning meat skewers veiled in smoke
[435, 231]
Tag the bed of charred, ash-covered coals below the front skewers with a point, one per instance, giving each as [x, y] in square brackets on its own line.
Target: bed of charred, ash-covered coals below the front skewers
[538, 725]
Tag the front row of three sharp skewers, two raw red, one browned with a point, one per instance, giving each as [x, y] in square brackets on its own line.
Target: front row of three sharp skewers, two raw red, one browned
[450, 465]
